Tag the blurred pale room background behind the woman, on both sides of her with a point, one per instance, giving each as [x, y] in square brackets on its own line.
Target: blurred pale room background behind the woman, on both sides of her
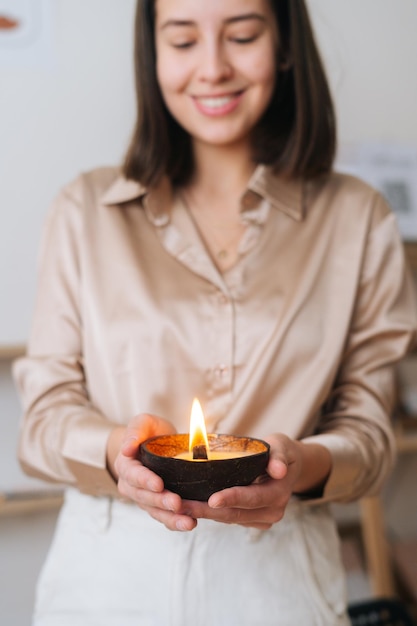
[67, 105]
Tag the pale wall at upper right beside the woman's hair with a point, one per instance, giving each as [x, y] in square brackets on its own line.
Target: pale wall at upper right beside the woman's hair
[370, 48]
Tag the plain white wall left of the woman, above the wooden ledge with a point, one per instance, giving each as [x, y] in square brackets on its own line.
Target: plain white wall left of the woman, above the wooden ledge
[68, 109]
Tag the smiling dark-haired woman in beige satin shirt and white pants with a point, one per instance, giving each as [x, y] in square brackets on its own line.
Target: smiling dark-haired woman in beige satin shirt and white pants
[226, 261]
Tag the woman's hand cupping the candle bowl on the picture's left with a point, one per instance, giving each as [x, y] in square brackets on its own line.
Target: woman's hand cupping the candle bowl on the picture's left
[138, 483]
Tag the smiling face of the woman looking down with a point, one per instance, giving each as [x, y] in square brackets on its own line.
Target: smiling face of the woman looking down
[216, 65]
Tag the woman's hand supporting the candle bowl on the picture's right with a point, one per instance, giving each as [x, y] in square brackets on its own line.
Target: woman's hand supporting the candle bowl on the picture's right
[293, 467]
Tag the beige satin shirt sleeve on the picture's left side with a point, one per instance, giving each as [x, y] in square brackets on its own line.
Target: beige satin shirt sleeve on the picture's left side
[63, 436]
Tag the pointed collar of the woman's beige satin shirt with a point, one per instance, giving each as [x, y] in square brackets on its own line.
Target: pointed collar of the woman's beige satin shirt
[282, 194]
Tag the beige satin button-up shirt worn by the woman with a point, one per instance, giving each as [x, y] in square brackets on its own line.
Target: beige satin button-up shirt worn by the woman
[298, 337]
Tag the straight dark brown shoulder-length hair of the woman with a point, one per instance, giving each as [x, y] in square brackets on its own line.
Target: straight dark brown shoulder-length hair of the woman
[296, 135]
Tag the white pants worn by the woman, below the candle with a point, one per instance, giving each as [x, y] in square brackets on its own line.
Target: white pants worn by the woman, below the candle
[110, 564]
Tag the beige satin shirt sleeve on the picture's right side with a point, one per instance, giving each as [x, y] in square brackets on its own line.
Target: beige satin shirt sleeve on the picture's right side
[356, 421]
